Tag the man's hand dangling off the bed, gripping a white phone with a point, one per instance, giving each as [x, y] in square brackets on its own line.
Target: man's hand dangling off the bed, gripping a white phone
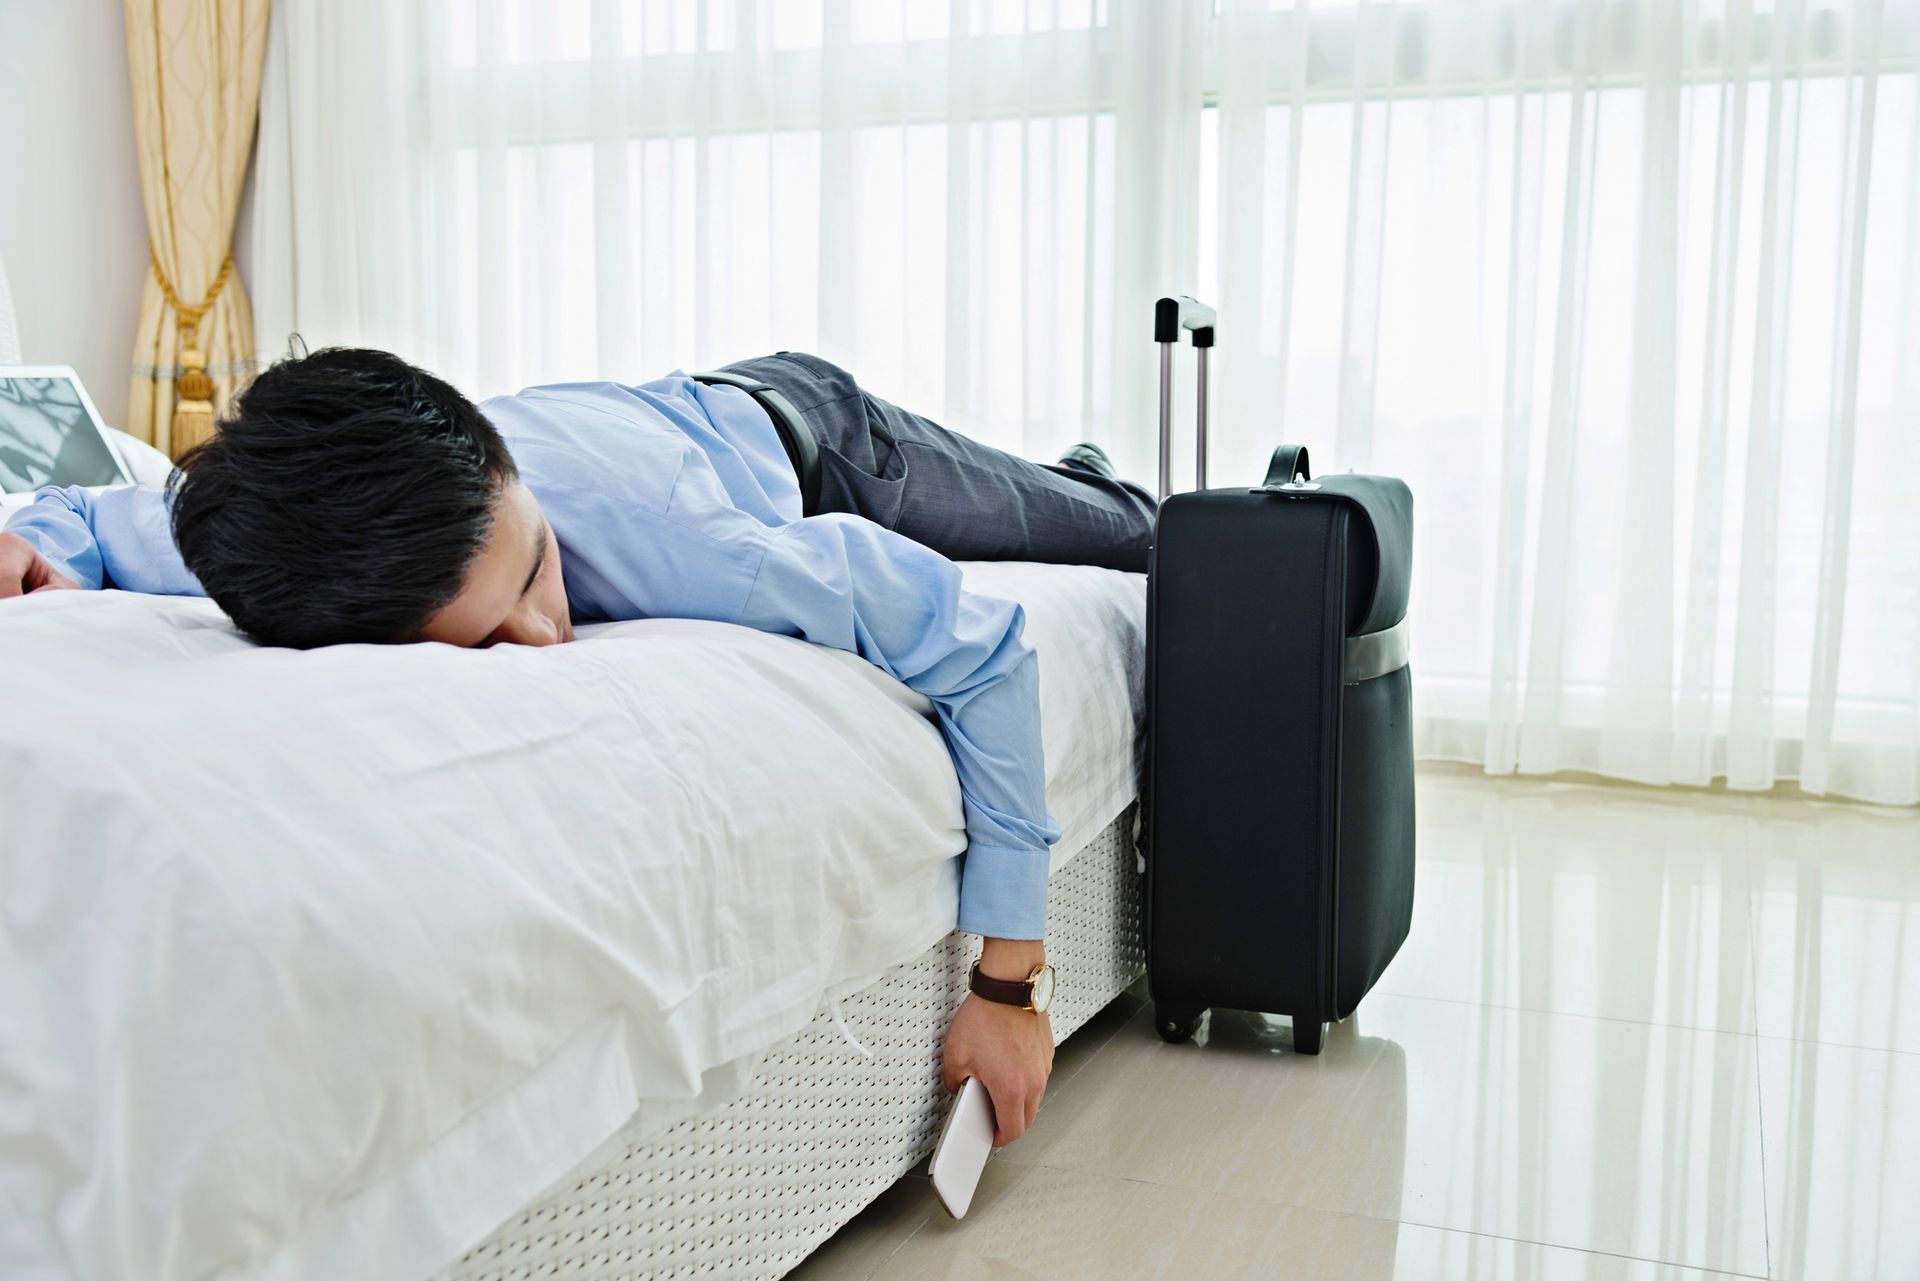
[1011, 1051]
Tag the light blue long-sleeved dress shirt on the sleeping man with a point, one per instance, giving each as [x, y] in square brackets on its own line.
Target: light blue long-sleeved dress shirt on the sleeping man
[675, 500]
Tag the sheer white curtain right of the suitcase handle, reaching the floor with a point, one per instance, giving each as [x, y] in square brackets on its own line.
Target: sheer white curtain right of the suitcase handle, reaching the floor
[1631, 295]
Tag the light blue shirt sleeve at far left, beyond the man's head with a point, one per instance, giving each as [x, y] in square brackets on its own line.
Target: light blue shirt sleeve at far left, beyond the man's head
[114, 539]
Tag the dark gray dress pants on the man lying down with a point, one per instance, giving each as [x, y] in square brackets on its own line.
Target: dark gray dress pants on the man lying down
[967, 500]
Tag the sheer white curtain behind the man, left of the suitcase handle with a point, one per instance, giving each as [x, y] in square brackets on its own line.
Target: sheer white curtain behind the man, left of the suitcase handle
[953, 201]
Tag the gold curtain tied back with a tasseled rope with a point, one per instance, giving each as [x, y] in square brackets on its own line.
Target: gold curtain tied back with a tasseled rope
[195, 68]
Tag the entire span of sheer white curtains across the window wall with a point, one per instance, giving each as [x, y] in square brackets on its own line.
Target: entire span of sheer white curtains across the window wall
[1629, 291]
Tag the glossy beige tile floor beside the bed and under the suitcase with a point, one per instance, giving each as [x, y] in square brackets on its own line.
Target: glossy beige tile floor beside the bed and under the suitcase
[1633, 1034]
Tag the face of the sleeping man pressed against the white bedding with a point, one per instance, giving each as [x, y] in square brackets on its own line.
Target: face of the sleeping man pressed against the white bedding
[514, 592]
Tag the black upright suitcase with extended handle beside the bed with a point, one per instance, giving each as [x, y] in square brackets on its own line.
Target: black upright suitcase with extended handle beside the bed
[1280, 794]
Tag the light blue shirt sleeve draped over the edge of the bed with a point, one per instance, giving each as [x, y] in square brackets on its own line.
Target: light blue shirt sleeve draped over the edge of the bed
[848, 583]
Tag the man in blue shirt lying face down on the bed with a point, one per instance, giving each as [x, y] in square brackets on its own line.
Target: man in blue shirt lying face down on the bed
[350, 496]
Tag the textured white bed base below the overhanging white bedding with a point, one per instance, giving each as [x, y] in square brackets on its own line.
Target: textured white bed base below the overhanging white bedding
[752, 1190]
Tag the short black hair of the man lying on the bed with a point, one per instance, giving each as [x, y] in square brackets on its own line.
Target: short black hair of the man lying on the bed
[341, 500]
